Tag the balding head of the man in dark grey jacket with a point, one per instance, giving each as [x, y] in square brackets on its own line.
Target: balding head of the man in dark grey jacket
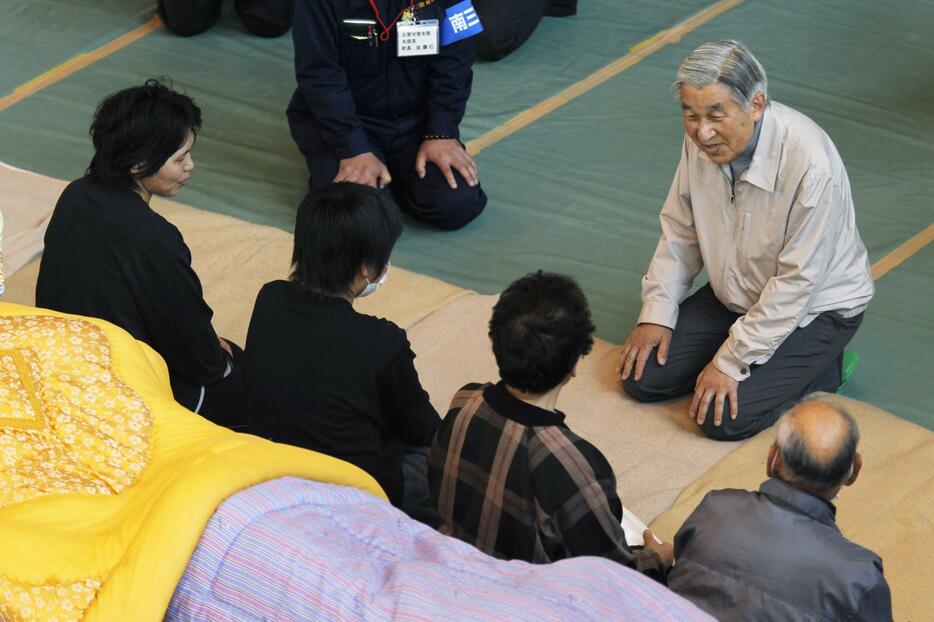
[817, 443]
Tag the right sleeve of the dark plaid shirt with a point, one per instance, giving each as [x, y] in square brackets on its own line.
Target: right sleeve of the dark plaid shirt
[576, 487]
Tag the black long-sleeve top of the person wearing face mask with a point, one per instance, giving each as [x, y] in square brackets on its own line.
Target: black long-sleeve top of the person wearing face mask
[320, 375]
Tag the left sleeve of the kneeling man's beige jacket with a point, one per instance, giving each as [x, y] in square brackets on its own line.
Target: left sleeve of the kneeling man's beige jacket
[677, 258]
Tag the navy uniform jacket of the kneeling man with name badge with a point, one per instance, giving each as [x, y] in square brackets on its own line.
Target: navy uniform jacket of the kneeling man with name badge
[352, 92]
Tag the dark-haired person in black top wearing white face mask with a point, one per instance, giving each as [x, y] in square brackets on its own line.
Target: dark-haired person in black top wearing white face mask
[319, 374]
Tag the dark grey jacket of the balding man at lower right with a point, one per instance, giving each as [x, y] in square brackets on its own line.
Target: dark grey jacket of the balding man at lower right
[776, 554]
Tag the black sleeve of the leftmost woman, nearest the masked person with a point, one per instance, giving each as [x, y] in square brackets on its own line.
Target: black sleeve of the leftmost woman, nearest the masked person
[171, 303]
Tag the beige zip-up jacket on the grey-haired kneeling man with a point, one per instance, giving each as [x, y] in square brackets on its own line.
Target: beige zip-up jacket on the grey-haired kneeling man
[780, 246]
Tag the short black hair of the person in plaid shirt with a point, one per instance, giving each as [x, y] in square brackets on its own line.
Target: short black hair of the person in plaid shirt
[540, 328]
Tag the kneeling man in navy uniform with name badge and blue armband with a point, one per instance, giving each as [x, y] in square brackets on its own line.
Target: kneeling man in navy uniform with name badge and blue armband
[382, 88]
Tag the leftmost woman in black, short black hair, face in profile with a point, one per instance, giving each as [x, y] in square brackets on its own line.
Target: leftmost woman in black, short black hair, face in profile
[109, 255]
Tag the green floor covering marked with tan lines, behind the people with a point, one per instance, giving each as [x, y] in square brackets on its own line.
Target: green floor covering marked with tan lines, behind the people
[577, 191]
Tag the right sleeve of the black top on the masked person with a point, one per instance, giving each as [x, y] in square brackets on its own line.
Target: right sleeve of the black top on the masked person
[409, 413]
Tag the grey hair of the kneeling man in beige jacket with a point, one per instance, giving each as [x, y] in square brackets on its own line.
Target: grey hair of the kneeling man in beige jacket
[727, 62]
